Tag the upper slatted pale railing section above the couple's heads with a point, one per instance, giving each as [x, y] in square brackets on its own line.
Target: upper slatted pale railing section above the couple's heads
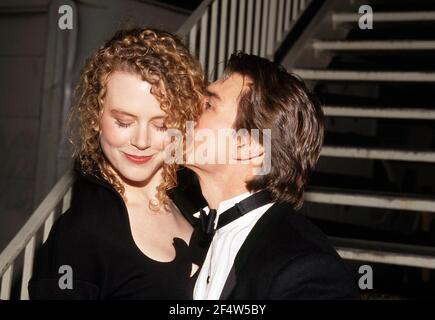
[216, 29]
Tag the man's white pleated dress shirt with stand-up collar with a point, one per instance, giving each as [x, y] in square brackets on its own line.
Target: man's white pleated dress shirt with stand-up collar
[223, 249]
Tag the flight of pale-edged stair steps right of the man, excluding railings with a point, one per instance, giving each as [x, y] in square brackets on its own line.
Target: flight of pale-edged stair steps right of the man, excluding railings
[376, 178]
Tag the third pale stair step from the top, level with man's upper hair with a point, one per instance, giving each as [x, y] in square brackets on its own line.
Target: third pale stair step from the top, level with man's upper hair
[356, 75]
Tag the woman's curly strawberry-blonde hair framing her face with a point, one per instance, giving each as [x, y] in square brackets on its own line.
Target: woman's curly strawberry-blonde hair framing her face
[159, 58]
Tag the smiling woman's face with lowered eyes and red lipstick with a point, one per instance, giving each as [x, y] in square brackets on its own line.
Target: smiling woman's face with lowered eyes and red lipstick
[132, 128]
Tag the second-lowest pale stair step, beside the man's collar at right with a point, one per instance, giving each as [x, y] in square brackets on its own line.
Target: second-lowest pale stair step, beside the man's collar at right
[373, 200]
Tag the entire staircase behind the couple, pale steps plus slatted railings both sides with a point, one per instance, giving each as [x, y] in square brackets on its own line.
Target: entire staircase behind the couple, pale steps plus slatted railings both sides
[373, 190]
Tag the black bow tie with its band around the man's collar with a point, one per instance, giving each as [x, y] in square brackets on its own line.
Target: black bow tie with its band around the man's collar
[252, 202]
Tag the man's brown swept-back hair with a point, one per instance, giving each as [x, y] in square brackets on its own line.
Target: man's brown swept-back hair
[280, 101]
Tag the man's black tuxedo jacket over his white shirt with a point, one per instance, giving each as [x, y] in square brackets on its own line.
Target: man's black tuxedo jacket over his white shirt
[287, 257]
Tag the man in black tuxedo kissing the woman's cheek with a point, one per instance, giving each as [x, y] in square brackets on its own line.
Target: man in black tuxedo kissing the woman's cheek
[262, 248]
